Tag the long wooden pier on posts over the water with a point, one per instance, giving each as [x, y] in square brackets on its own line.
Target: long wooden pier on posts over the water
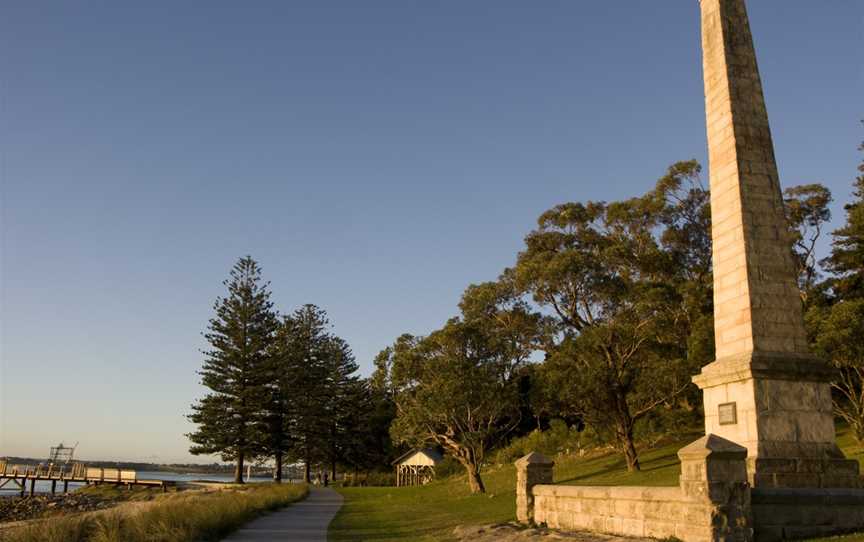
[77, 473]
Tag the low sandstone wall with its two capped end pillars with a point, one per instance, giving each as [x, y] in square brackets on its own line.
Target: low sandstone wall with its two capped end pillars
[712, 501]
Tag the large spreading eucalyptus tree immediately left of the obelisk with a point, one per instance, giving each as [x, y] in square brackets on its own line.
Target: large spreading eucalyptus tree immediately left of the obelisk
[626, 283]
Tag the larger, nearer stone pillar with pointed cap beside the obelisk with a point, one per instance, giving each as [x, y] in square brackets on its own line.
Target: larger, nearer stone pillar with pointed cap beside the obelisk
[714, 472]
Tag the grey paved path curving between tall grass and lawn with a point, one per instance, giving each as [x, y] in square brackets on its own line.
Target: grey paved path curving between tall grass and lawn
[305, 521]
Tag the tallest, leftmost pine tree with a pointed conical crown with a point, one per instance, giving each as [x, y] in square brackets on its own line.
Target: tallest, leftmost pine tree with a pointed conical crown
[235, 370]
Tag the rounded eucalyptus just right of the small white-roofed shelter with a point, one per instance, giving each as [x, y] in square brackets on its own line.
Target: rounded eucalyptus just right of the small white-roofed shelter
[457, 387]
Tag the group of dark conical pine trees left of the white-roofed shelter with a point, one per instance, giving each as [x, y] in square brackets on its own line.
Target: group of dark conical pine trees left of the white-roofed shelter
[279, 387]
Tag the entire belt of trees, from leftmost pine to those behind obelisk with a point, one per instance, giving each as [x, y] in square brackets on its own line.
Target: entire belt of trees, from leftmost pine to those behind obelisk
[601, 321]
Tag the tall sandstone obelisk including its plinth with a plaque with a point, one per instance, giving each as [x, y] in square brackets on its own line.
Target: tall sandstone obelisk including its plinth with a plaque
[765, 391]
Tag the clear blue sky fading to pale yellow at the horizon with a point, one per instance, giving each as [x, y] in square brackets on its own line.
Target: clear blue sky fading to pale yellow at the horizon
[376, 157]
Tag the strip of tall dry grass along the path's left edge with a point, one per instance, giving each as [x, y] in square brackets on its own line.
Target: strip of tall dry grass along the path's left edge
[176, 518]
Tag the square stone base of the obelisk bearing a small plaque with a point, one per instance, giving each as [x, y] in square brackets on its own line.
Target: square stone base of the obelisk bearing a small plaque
[778, 407]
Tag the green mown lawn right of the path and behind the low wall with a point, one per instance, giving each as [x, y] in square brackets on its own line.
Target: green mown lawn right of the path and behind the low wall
[430, 513]
